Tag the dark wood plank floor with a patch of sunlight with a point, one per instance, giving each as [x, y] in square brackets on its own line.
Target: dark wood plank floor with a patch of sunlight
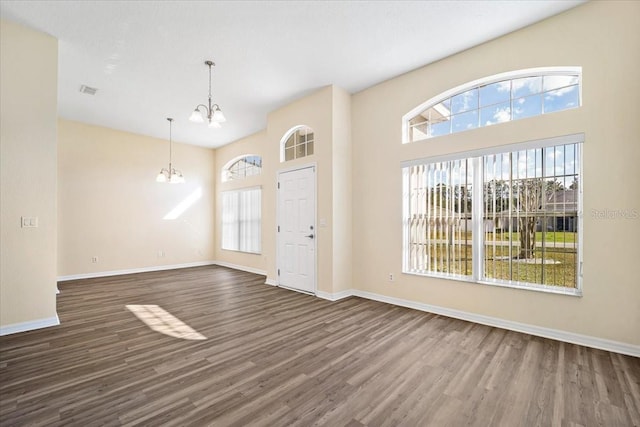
[274, 357]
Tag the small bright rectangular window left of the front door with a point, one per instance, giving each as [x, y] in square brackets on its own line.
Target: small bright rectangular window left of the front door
[242, 219]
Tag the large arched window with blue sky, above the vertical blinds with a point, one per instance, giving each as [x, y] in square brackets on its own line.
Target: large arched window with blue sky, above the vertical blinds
[496, 99]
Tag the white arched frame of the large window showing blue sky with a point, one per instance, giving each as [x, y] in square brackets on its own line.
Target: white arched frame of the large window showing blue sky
[478, 83]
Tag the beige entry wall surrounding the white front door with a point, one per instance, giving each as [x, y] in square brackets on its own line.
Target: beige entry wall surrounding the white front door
[327, 111]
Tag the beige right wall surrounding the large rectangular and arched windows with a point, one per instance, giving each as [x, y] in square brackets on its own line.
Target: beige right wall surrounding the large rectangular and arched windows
[603, 38]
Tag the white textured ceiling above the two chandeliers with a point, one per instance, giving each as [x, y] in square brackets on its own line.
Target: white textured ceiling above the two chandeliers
[147, 57]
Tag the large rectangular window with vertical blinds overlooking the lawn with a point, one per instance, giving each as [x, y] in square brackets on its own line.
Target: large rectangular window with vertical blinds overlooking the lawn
[503, 217]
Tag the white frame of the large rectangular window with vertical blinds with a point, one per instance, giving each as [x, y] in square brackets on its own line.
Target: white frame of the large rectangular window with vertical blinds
[478, 255]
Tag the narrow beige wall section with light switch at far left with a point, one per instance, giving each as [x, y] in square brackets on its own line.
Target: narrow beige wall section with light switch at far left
[28, 104]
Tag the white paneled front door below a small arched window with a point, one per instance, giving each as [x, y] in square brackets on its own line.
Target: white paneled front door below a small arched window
[297, 229]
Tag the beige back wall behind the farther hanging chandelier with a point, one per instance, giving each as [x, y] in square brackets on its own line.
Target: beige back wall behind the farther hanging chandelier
[111, 207]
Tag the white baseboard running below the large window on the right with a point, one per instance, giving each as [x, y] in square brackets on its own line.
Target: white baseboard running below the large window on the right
[569, 337]
